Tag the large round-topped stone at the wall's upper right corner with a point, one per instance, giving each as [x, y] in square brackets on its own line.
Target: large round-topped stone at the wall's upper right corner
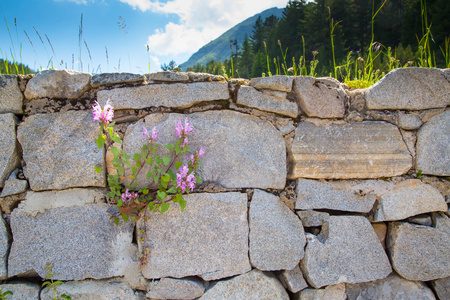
[411, 89]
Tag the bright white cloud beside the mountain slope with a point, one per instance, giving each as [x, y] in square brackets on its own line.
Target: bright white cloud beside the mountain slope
[200, 21]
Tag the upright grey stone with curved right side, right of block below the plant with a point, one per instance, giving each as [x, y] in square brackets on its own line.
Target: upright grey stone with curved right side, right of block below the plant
[276, 236]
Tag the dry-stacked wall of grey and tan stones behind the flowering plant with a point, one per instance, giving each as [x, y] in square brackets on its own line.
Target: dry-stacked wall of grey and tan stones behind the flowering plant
[311, 190]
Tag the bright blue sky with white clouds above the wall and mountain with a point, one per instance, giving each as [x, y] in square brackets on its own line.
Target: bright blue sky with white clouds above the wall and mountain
[172, 29]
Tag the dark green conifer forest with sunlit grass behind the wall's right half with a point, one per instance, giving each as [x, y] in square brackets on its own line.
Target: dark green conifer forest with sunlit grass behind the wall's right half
[310, 34]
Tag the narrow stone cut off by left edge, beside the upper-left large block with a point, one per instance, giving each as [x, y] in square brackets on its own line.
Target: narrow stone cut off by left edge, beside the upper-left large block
[9, 154]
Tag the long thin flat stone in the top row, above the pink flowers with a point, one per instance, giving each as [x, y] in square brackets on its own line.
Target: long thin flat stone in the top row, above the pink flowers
[180, 95]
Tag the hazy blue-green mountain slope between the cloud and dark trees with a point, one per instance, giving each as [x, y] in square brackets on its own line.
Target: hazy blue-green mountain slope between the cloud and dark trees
[220, 47]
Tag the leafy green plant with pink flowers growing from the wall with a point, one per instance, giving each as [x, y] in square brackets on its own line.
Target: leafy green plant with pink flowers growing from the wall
[164, 185]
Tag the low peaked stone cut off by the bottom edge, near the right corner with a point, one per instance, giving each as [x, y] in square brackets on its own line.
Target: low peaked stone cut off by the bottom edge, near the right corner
[391, 287]
